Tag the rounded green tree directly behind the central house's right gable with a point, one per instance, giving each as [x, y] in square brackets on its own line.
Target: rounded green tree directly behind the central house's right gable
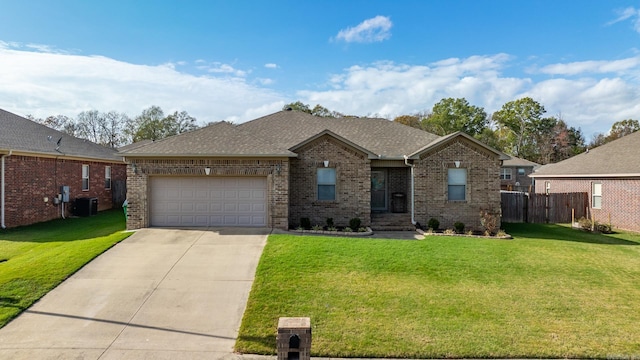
[451, 115]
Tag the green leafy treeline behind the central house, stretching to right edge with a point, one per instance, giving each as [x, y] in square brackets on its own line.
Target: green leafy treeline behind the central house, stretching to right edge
[519, 128]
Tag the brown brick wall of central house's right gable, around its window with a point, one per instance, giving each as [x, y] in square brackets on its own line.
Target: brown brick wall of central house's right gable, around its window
[483, 185]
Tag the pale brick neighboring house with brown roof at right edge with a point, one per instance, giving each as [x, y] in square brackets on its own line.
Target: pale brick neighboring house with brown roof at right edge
[610, 174]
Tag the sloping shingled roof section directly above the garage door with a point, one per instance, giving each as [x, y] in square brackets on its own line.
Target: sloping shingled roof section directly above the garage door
[218, 139]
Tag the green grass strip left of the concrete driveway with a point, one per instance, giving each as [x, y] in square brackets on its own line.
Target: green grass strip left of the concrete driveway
[35, 259]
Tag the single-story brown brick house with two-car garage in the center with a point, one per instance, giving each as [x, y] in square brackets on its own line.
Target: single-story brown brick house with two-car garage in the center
[275, 170]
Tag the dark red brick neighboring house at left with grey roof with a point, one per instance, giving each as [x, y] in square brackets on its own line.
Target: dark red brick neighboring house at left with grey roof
[36, 161]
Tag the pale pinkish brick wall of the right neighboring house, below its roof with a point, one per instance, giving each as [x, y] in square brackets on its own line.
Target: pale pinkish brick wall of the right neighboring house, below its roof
[620, 198]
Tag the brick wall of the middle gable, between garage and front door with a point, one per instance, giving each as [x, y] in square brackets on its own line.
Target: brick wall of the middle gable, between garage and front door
[353, 188]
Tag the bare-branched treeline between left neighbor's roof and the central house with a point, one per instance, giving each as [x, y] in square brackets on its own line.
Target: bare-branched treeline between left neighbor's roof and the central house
[114, 129]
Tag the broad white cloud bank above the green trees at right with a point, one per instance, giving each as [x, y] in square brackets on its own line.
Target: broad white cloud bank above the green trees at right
[592, 102]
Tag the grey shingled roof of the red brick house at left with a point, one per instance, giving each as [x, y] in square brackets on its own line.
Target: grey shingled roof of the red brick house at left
[23, 136]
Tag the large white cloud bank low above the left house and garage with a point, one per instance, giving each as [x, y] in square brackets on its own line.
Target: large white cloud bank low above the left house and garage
[43, 84]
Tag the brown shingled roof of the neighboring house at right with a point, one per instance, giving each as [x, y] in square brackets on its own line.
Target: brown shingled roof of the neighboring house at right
[619, 158]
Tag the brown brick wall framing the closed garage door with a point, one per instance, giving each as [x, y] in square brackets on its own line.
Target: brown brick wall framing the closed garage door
[277, 183]
